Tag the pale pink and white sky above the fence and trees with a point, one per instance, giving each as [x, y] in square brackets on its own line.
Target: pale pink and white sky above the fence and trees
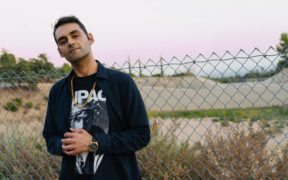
[147, 29]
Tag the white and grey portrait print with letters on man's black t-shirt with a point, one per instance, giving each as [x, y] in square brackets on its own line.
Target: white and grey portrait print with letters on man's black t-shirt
[94, 119]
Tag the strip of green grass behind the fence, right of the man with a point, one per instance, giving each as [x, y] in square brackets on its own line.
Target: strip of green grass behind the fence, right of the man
[272, 119]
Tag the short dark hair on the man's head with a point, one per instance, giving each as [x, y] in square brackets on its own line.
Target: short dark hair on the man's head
[66, 20]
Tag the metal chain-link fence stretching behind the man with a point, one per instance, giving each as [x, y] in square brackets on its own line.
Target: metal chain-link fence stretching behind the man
[216, 117]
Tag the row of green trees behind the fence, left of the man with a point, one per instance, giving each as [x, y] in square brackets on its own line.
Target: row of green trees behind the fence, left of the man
[22, 72]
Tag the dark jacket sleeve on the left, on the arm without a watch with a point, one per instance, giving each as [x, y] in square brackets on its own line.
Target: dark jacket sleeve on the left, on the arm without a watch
[50, 131]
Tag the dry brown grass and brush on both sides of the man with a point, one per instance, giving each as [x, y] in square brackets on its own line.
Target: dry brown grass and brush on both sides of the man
[240, 155]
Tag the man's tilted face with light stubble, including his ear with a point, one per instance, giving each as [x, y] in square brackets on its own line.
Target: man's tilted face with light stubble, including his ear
[72, 42]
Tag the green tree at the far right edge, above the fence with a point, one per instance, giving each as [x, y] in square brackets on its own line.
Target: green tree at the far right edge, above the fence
[282, 48]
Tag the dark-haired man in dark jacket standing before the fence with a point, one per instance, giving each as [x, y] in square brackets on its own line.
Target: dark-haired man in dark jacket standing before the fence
[96, 119]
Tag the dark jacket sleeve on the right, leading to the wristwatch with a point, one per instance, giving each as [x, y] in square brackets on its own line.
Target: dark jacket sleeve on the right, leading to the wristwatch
[137, 135]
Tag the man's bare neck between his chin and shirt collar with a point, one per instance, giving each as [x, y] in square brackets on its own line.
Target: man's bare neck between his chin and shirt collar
[85, 67]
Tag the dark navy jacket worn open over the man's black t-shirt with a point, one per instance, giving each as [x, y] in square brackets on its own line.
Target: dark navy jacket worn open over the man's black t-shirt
[128, 128]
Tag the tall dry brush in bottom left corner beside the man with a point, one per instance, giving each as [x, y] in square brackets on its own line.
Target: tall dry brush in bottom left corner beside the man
[26, 158]
